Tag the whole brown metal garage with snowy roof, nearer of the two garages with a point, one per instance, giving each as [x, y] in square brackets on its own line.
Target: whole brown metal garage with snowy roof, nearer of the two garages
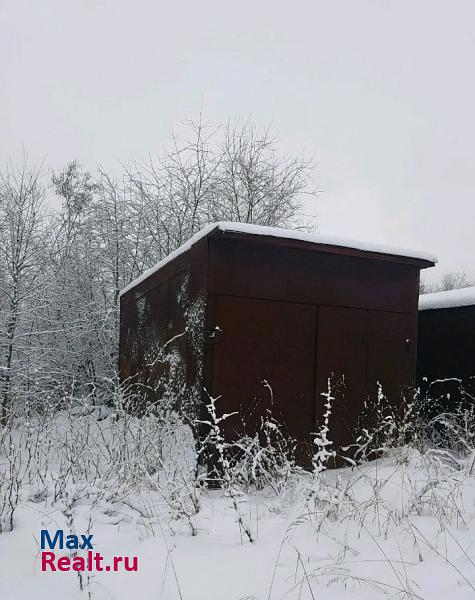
[284, 307]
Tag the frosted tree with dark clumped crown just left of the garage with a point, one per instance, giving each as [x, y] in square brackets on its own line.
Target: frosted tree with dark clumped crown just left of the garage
[84, 282]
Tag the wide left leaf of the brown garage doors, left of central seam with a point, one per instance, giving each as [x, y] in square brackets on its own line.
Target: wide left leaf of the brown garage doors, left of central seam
[265, 340]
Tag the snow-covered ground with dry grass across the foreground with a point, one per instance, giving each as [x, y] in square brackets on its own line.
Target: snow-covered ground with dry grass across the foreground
[401, 526]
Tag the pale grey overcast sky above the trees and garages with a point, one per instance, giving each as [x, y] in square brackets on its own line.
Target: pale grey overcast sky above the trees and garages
[382, 91]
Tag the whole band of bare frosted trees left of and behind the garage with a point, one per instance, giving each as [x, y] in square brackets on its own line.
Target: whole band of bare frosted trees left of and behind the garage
[61, 272]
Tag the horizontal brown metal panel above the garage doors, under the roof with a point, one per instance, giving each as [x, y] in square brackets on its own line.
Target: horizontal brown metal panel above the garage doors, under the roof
[264, 270]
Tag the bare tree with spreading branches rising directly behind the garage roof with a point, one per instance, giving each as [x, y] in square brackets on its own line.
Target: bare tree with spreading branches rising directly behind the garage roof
[231, 173]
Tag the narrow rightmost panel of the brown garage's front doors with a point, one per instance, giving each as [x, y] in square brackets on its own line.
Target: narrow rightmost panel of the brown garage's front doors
[392, 344]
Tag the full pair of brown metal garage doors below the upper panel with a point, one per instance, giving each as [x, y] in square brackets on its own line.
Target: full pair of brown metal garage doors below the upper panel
[294, 349]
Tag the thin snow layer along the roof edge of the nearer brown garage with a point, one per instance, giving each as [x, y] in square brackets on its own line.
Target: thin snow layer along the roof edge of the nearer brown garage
[289, 234]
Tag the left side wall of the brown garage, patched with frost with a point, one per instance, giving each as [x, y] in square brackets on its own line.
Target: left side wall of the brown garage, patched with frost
[157, 310]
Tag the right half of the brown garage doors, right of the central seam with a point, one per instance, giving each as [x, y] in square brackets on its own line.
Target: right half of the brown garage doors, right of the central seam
[357, 349]
